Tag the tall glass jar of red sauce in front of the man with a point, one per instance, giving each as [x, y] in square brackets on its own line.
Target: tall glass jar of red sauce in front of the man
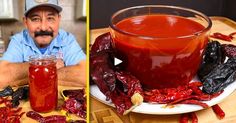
[43, 83]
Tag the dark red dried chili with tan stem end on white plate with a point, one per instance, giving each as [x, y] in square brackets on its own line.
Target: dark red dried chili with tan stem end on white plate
[128, 91]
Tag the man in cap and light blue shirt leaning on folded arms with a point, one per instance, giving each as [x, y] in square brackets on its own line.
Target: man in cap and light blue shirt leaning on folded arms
[43, 36]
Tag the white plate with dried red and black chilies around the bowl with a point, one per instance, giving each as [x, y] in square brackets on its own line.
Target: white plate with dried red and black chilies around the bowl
[114, 87]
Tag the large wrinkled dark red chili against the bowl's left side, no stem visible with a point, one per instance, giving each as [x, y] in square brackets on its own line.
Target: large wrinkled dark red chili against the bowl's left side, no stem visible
[102, 72]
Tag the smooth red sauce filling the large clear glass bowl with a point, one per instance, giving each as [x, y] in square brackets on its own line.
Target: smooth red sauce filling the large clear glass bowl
[160, 62]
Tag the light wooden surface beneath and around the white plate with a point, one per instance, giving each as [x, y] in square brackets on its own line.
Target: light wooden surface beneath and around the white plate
[101, 113]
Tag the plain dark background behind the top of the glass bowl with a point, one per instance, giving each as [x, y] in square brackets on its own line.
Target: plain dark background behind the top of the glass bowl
[102, 10]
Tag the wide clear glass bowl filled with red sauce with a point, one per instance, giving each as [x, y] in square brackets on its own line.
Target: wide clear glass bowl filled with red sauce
[161, 45]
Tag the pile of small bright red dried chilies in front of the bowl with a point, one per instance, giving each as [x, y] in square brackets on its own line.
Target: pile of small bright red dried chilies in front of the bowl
[188, 94]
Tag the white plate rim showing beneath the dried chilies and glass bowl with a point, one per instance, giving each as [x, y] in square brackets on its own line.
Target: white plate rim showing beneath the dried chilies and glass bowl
[147, 108]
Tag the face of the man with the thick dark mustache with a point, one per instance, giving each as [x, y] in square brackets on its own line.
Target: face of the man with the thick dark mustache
[43, 25]
